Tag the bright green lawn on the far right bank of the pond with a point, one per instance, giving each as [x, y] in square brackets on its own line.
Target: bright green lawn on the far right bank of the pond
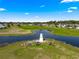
[65, 31]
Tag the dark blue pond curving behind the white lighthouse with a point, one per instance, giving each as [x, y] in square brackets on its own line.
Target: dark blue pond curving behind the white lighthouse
[66, 39]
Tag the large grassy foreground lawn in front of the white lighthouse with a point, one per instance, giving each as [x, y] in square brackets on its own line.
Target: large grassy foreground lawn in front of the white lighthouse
[56, 50]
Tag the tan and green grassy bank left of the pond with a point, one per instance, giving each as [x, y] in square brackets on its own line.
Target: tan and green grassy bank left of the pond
[14, 31]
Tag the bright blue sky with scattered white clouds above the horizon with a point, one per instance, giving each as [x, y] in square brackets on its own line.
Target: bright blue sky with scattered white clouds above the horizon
[38, 10]
